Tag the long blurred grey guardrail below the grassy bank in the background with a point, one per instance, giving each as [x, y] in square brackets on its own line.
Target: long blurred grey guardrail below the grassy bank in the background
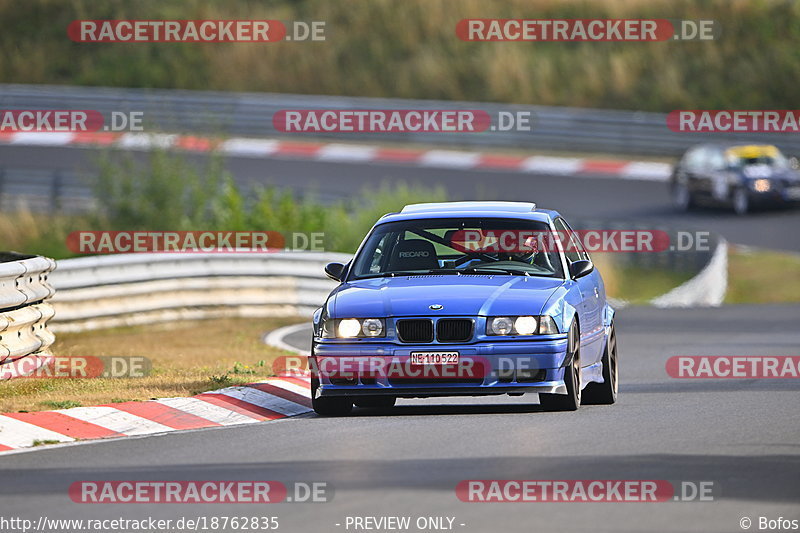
[250, 114]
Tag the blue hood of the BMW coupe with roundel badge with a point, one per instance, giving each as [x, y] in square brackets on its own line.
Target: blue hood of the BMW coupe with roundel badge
[458, 295]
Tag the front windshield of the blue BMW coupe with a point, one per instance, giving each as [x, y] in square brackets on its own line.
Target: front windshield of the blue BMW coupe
[457, 246]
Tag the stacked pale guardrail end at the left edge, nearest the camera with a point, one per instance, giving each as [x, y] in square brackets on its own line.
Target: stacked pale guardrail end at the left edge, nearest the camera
[24, 313]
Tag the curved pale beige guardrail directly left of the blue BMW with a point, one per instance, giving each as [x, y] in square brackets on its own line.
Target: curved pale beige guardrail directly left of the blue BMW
[131, 289]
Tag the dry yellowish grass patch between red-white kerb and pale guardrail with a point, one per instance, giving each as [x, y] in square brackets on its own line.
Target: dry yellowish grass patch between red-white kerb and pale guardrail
[187, 358]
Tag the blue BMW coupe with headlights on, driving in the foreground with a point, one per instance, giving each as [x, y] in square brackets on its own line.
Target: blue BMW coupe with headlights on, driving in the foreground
[465, 299]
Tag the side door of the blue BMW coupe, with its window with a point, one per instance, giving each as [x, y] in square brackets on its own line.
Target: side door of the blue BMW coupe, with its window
[592, 298]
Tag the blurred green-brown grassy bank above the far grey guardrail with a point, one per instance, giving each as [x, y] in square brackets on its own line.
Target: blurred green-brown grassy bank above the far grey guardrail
[409, 49]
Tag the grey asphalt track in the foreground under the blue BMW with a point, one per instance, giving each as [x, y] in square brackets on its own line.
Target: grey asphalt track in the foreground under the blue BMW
[740, 434]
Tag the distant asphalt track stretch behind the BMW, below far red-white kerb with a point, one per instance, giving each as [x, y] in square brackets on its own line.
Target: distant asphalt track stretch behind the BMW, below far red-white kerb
[605, 198]
